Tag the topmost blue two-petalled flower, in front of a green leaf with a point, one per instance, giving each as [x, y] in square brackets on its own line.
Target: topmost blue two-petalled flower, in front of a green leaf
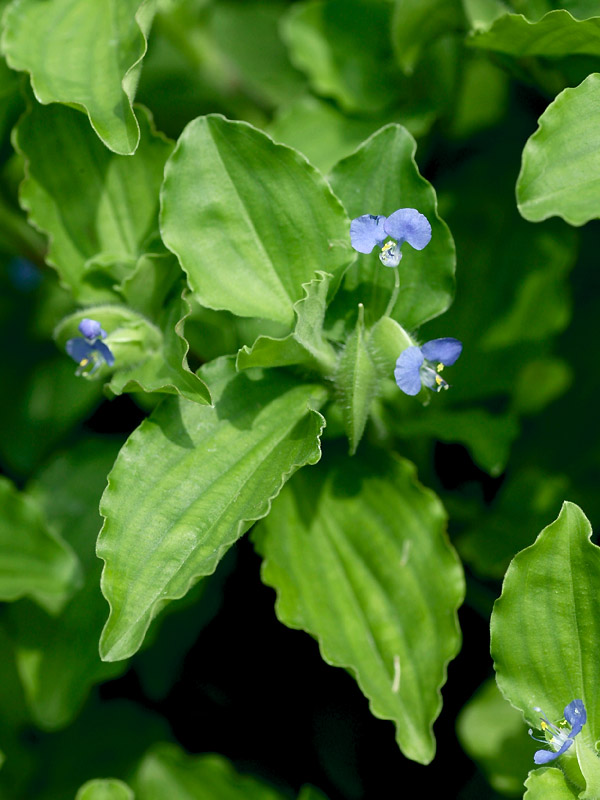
[404, 225]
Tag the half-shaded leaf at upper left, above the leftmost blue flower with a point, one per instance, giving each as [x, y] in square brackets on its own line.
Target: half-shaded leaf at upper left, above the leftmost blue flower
[94, 205]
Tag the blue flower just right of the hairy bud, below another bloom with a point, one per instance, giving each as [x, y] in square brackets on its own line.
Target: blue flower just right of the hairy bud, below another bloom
[421, 366]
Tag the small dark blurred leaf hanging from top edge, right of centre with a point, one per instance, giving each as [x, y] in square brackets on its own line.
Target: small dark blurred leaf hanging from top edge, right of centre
[416, 23]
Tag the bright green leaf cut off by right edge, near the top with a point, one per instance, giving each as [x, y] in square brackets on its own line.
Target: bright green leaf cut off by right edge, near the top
[560, 173]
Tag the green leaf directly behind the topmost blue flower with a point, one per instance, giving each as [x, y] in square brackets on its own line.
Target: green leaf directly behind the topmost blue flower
[380, 177]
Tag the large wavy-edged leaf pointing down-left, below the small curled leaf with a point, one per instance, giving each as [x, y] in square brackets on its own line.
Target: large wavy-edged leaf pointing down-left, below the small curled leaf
[189, 482]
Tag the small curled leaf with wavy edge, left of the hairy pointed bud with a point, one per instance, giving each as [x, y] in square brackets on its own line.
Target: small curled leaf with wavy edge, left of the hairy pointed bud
[306, 345]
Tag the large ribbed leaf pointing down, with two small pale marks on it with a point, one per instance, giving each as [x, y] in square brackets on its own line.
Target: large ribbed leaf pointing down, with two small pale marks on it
[358, 555]
